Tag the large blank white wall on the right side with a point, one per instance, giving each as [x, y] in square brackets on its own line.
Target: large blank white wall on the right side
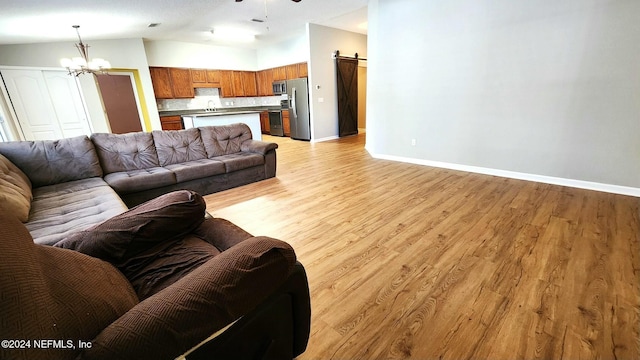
[545, 88]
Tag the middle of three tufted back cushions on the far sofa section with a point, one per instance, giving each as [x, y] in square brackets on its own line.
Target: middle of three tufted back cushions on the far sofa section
[180, 146]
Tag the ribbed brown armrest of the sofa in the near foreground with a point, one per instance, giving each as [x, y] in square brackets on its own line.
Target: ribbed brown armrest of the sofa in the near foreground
[179, 317]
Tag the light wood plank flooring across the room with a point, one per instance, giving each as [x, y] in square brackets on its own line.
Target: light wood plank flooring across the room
[412, 262]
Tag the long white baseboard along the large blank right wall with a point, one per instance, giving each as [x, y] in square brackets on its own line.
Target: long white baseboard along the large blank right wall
[588, 185]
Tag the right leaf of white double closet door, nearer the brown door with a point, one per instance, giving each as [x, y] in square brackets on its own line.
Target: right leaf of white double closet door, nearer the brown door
[67, 103]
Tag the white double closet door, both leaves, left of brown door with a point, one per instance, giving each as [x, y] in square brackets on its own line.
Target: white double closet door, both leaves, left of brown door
[47, 104]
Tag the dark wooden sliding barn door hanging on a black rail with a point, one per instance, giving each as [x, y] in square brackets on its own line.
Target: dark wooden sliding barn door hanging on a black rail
[347, 76]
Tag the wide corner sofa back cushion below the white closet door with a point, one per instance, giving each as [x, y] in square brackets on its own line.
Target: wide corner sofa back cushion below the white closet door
[48, 162]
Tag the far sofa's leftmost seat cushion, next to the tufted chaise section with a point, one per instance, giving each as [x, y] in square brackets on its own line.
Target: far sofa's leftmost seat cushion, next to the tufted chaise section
[138, 180]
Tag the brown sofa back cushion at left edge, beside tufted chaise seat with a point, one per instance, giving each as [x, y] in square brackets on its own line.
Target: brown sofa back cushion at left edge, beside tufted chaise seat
[15, 189]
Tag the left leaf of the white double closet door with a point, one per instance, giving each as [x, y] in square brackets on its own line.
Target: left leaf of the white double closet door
[32, 104]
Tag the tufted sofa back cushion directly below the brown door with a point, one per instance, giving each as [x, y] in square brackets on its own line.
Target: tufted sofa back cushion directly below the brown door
[125, 152]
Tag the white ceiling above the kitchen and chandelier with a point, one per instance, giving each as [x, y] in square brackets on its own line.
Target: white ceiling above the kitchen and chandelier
[41, 21]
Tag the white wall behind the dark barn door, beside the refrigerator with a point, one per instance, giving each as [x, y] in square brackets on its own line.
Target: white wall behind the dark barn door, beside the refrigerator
[323, 41]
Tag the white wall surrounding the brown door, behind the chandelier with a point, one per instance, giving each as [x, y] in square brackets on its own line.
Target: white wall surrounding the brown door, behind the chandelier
[122, 53]
